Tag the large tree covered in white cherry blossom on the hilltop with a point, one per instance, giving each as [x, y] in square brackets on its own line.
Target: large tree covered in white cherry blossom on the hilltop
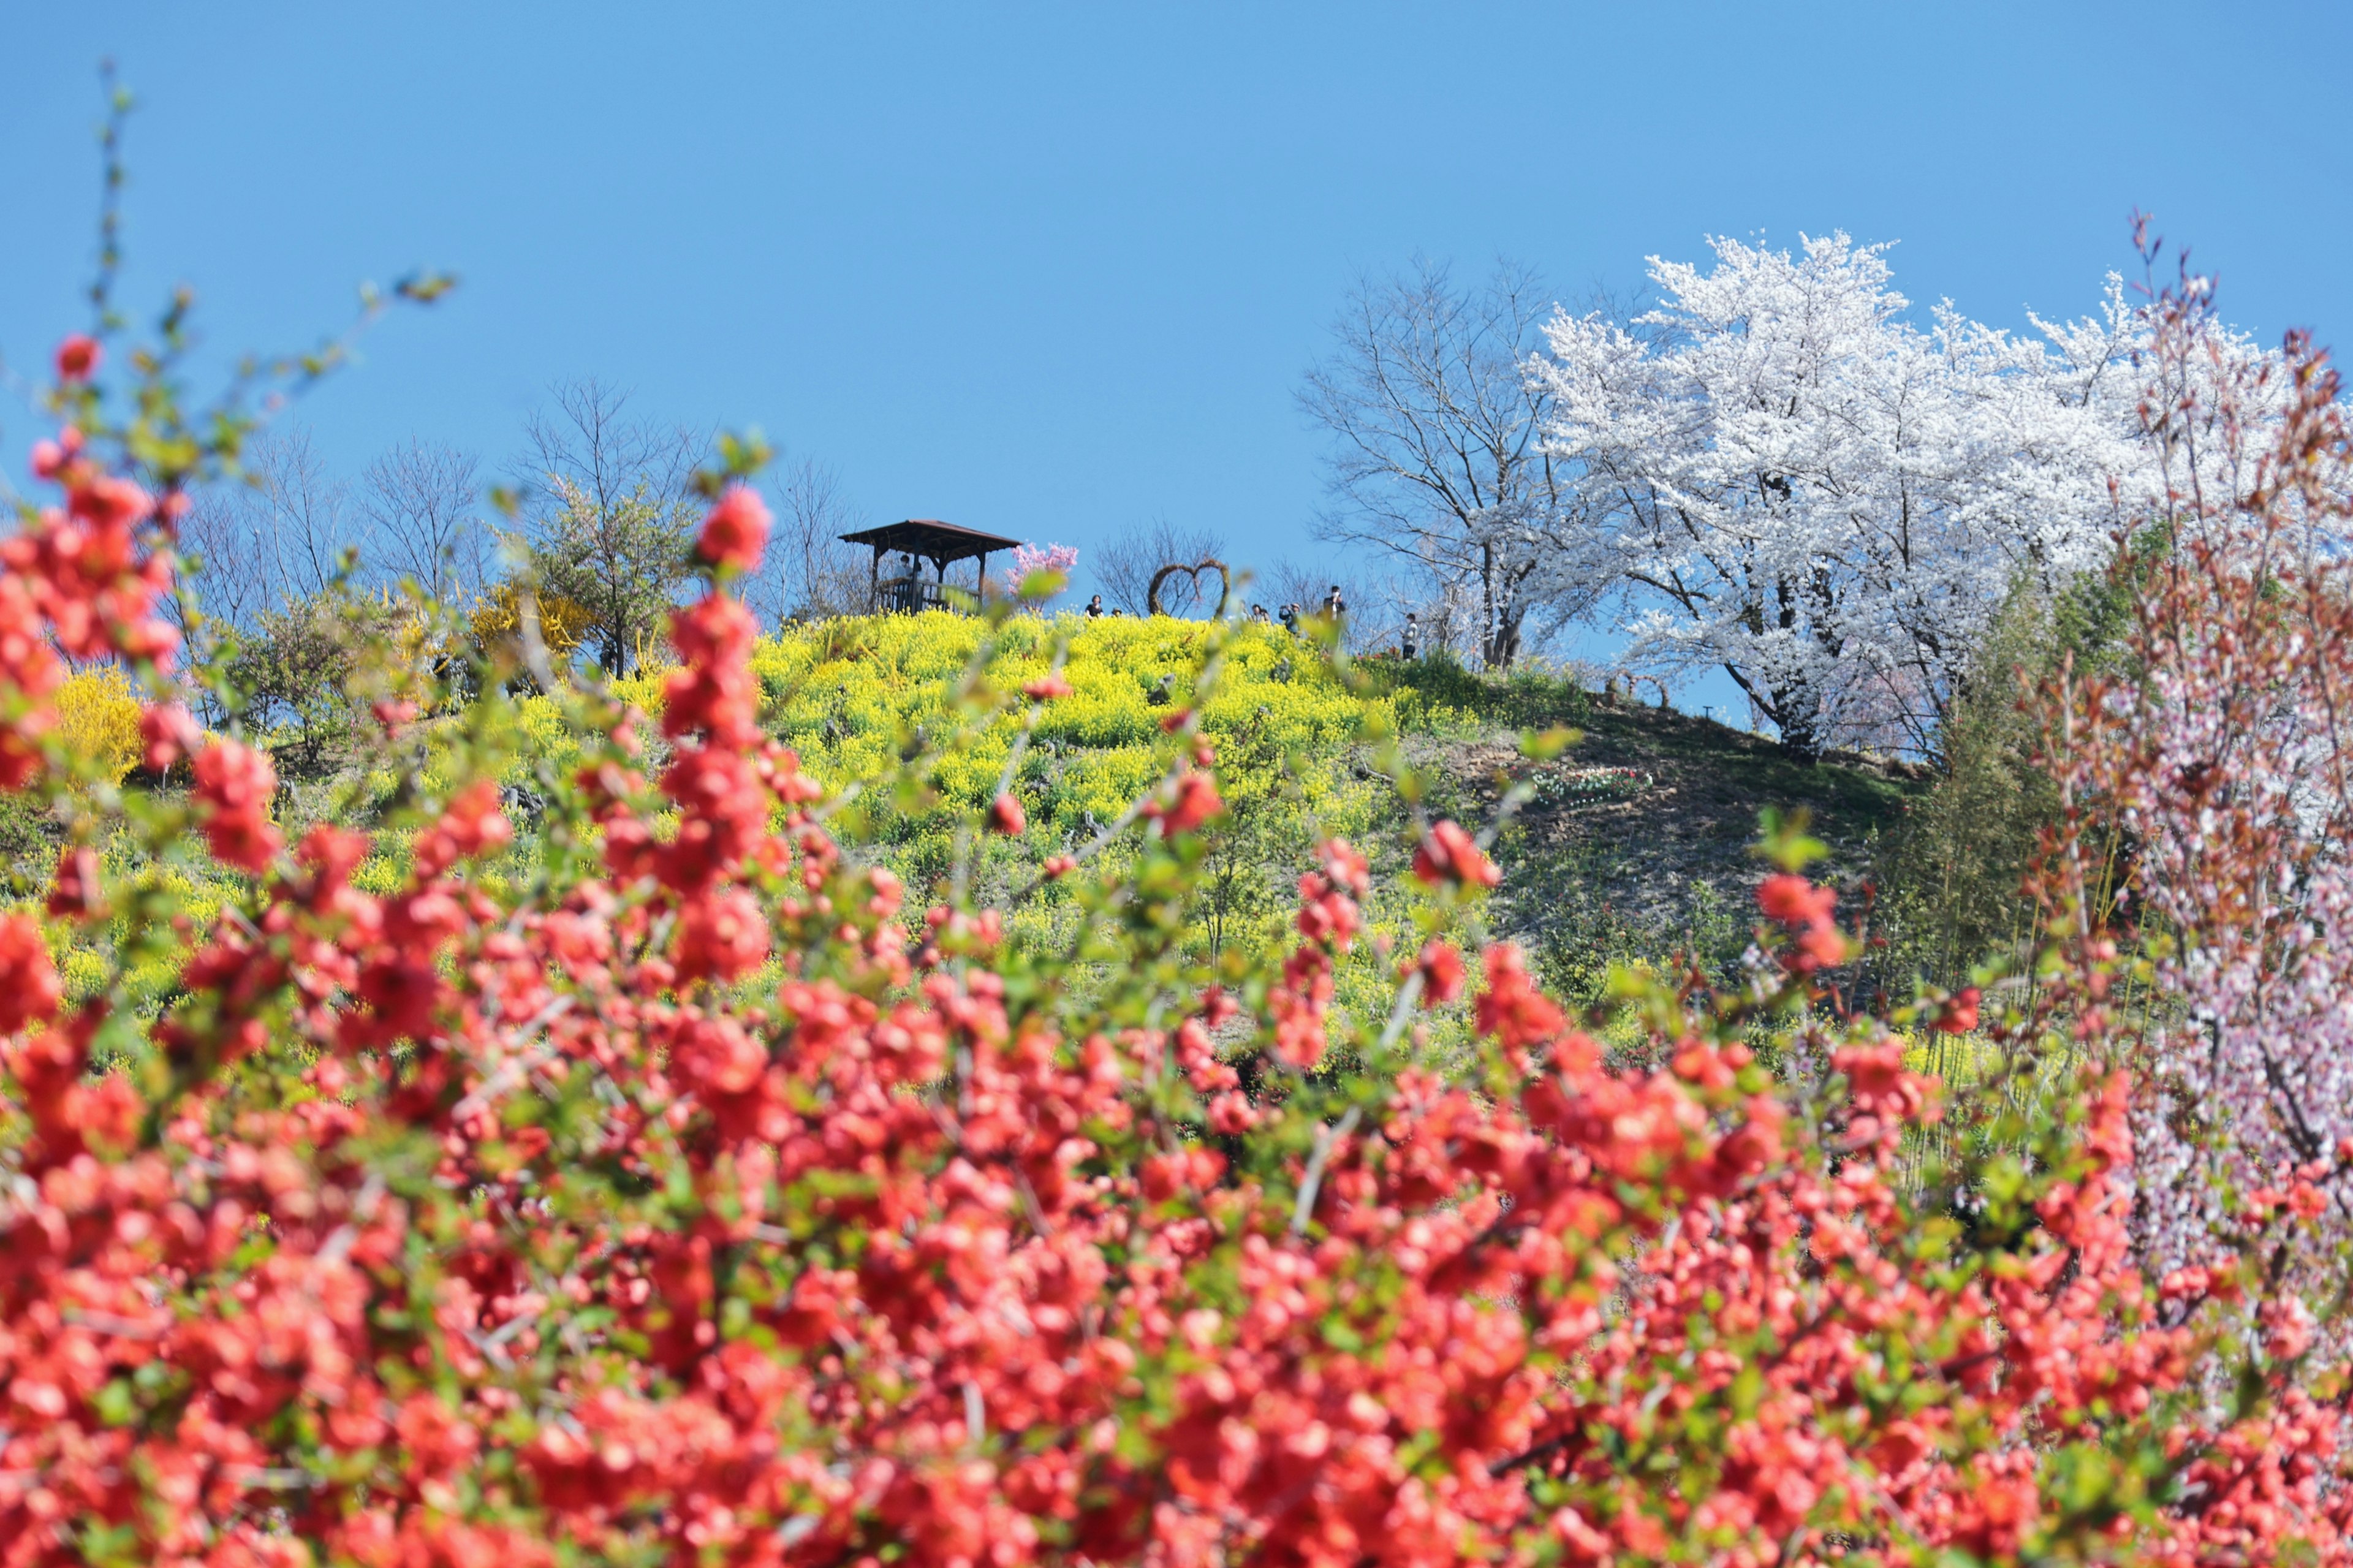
[1794, 481]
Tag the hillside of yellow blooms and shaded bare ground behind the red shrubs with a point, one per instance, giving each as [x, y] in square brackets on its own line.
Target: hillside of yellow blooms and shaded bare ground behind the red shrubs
[1637, 844]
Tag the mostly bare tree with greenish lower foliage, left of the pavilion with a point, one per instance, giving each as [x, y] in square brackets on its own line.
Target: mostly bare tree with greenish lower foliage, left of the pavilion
[611, 514]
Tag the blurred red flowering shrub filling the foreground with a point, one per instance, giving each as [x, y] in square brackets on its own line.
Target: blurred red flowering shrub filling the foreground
[688, 1200]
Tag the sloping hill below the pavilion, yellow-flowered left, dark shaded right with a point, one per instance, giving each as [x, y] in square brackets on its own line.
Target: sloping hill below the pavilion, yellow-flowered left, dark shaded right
[1587, 882]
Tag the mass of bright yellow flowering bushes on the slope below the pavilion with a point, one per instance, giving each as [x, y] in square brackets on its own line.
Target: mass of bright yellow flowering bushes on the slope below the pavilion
[853, 696]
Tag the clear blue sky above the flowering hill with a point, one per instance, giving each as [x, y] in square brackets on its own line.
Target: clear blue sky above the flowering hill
[1053, 270]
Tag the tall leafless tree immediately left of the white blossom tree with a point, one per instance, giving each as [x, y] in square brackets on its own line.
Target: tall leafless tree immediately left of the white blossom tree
[1437, 456]
